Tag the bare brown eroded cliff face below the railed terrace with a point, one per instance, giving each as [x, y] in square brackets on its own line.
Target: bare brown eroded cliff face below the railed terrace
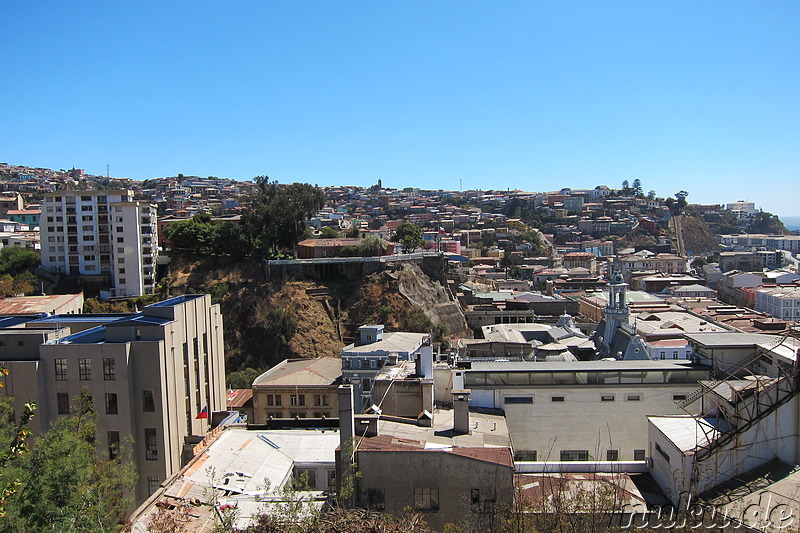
[268, 321]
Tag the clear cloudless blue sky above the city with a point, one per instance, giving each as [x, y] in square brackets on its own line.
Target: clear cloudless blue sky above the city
[695, 95]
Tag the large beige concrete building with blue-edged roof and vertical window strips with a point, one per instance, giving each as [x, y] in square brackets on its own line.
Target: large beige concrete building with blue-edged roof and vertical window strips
[155, 376]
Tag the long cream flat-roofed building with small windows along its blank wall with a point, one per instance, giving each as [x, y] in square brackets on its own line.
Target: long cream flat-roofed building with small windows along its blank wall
[581, 410]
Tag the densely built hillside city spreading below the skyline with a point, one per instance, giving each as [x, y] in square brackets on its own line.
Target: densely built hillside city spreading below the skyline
[222, 355]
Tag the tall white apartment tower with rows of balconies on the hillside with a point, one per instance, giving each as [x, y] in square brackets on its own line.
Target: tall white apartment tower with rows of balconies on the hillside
[101, 235]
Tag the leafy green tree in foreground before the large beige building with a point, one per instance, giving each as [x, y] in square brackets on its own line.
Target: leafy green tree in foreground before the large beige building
[65, 483]
